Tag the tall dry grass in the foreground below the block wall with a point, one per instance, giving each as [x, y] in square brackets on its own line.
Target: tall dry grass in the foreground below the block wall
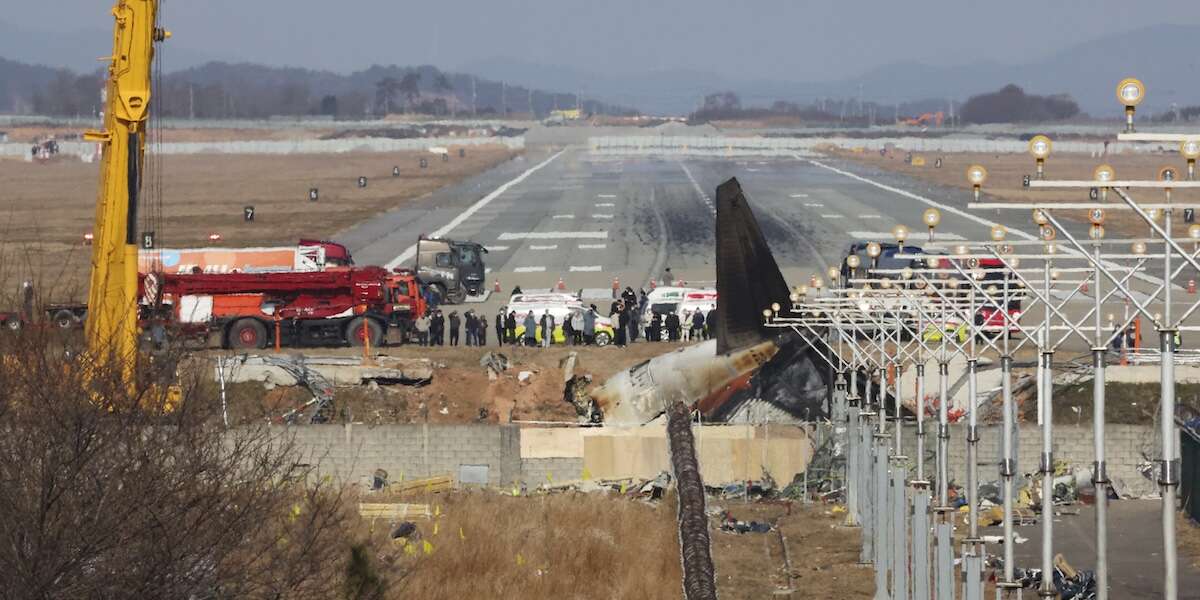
[603, 547]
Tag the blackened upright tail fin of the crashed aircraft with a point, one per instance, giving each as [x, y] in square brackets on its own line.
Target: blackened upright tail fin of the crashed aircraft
[748, 279]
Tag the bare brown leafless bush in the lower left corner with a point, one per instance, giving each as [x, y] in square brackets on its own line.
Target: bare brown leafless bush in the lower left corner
[106, 493]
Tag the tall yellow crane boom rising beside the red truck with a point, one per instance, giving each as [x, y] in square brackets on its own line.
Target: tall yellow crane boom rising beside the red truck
[112, 327]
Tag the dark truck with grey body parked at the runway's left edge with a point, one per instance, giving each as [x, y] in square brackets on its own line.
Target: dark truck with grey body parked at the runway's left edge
[452, 269]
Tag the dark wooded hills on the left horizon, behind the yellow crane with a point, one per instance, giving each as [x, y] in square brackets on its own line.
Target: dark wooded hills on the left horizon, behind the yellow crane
[225, 91]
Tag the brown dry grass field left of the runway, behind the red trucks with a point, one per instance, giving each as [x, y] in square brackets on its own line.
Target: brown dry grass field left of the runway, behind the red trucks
[46, 209]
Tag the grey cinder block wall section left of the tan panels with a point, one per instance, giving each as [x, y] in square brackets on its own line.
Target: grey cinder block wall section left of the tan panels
[351, 453]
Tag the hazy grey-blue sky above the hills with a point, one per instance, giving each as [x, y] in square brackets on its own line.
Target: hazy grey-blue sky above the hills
[781, 40]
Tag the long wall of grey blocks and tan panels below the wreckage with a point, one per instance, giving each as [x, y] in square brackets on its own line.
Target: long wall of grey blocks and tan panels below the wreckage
[511, 454]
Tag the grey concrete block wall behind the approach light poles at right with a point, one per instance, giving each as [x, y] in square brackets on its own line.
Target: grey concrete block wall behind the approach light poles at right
[1125, 447]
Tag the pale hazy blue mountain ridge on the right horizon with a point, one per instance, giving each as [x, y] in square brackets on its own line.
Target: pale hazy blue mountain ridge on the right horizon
[1162, 56]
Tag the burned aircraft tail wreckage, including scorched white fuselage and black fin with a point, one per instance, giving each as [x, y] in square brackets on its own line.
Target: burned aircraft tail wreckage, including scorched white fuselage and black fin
[748, 368]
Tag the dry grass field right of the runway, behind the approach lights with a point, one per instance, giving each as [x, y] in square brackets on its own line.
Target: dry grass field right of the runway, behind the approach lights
[1005, 173]
